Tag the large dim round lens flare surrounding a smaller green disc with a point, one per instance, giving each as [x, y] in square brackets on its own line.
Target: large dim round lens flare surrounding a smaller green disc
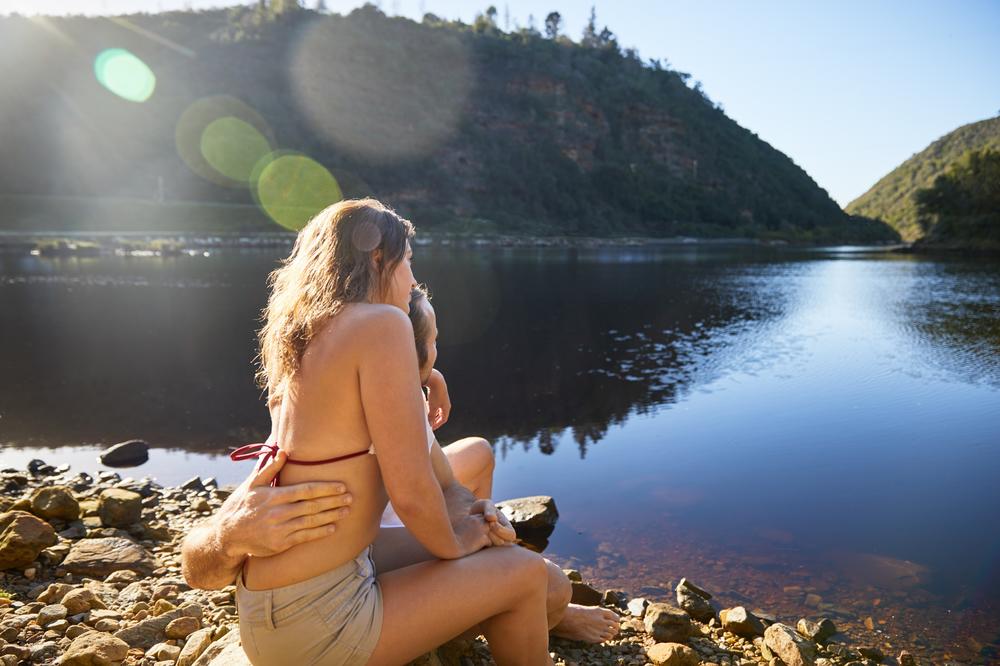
[222, 139]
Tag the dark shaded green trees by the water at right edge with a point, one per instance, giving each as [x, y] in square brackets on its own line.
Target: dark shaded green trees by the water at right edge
[962, 208]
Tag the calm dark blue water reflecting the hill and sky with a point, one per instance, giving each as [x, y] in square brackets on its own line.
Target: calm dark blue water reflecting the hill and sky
[771, 424]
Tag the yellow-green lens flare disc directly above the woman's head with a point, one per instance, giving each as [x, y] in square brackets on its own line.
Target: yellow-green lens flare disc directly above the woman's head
[291, 188]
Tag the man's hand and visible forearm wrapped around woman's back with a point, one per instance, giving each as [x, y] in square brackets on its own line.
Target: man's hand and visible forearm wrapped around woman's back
[260, 520]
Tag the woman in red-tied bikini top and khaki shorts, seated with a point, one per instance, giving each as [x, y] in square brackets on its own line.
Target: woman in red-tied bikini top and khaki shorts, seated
[340, 368]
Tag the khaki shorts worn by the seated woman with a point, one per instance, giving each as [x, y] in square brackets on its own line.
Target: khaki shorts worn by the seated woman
[333, 618]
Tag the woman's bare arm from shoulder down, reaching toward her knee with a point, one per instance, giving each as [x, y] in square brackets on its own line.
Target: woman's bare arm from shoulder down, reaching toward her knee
[394, 412]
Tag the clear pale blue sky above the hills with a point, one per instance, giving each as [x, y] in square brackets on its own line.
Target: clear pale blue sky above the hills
[847, 89]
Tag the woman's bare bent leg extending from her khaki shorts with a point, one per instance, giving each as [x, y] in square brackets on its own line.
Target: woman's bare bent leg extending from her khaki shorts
[501, 589]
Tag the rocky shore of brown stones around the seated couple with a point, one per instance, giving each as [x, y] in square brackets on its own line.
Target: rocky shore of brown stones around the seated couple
[90, 575]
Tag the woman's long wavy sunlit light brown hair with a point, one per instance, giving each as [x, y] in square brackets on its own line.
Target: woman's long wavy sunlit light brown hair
[331, 264]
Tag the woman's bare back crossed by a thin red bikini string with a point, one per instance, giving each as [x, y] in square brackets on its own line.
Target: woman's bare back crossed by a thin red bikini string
[321, 416]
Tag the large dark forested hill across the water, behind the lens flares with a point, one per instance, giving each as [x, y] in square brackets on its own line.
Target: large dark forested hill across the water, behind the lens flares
[461, 127]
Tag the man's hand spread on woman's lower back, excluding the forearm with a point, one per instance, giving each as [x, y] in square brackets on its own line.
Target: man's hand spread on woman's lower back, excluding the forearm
[260, 520]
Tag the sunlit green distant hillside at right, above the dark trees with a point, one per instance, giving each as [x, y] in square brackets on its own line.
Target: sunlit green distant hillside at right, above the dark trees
[891, 198]
